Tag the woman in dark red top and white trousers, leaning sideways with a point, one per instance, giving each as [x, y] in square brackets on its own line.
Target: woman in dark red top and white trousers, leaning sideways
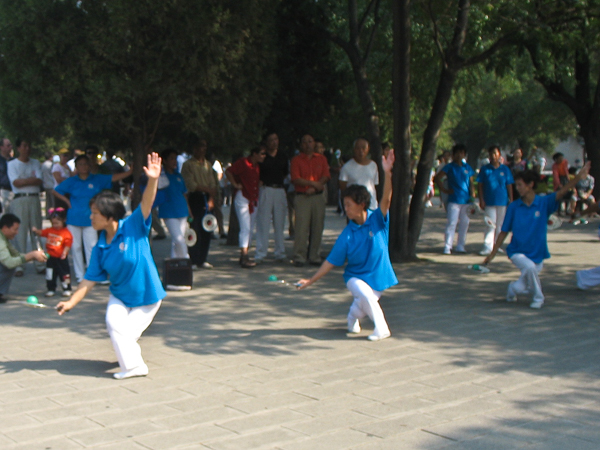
[244, 175]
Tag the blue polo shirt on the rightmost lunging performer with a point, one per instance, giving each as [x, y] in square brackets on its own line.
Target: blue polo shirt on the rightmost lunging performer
[529, 226]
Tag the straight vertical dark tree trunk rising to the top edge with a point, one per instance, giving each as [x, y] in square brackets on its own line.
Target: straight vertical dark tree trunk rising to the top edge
[399, 210]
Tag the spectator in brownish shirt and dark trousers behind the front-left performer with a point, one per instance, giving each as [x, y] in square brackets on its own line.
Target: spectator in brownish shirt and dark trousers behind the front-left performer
[197, 173]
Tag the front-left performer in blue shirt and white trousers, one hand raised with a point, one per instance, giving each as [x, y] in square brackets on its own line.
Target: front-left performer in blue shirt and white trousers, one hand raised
[123, 252]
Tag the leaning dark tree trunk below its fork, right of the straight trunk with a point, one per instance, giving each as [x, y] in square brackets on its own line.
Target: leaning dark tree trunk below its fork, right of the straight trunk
[430, 138]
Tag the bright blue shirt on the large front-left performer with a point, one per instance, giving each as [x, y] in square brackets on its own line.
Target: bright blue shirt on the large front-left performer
[127, 259]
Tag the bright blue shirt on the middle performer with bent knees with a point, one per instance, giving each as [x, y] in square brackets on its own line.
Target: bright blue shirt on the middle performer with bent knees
[366, 249]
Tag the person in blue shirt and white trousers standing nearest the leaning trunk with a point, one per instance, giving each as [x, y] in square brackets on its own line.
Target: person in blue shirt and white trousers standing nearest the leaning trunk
[460, 192]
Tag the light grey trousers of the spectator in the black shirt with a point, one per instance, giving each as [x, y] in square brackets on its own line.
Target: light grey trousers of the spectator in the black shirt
[272, 204]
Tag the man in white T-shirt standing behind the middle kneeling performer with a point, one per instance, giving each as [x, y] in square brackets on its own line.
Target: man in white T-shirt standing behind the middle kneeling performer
[361, 170]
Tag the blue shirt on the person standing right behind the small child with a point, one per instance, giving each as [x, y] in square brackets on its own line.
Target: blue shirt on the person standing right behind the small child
[80, 193]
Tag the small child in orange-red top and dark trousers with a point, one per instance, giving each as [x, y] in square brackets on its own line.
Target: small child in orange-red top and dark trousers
[58, 244]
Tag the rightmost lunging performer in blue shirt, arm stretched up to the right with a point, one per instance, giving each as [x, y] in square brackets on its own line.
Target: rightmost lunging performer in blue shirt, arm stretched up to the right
[527, 219]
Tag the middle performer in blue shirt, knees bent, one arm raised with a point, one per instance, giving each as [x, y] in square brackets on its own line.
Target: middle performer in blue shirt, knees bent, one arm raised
[364, 244]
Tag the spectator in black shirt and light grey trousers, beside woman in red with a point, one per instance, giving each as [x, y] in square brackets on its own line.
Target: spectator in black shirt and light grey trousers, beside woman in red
[272, 202]
